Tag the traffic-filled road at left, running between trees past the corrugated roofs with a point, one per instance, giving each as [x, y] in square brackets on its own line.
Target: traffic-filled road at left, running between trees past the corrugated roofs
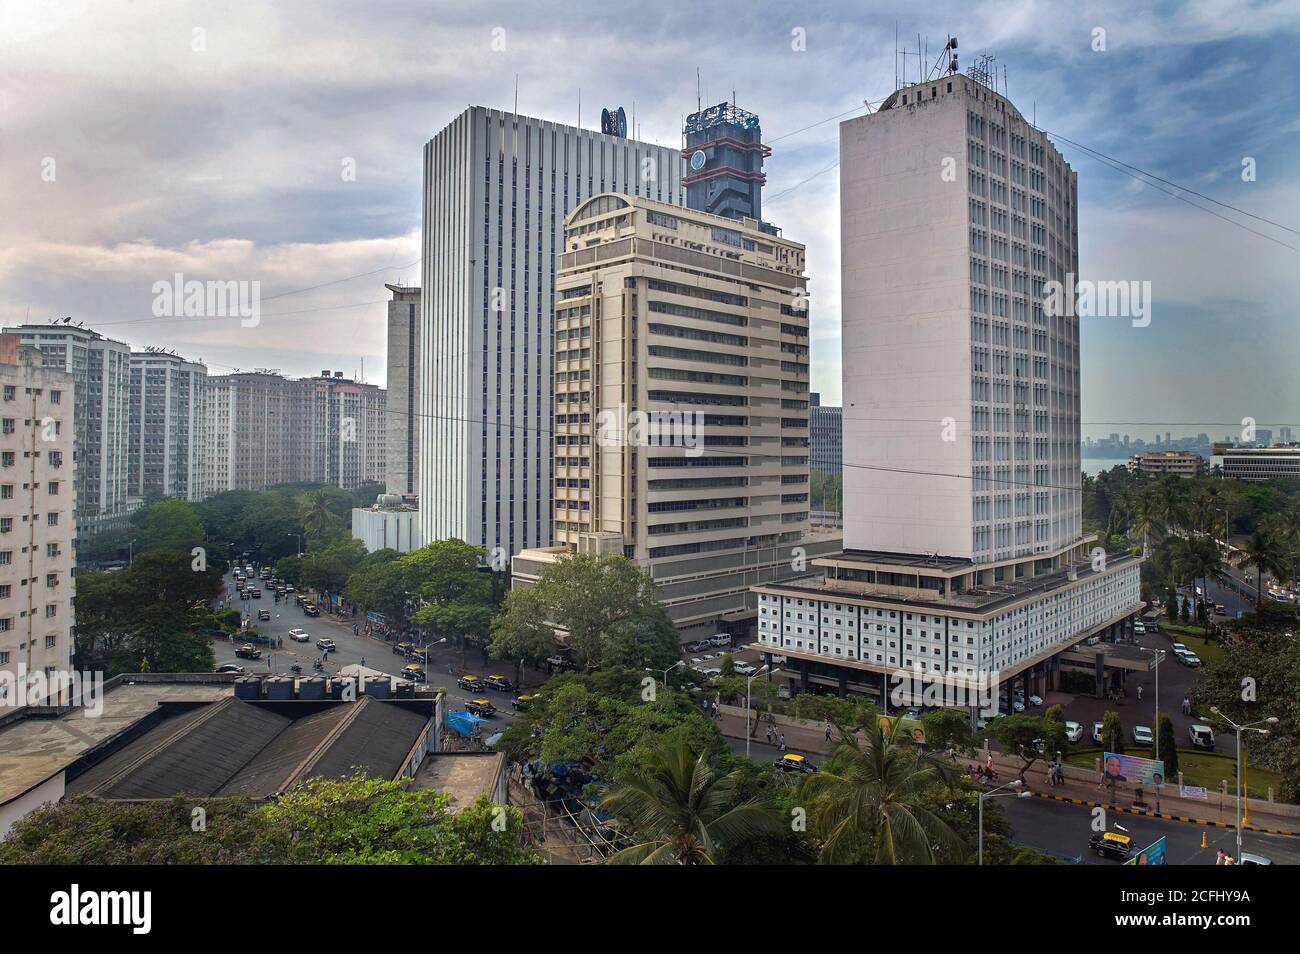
[353, 649]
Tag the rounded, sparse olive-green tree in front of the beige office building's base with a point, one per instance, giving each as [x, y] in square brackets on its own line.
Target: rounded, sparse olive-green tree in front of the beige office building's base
[590, 599]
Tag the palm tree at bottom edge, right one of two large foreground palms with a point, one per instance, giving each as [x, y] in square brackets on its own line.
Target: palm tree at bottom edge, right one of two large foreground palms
[873, 793]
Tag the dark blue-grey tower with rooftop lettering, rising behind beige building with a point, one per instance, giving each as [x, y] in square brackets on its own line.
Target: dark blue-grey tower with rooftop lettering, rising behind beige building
[725, 163]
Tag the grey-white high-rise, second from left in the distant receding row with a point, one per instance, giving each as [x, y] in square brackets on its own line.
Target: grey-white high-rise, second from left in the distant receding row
[168, 453]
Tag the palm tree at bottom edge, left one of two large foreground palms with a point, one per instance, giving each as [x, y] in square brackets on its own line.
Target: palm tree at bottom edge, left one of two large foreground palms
[683, 813]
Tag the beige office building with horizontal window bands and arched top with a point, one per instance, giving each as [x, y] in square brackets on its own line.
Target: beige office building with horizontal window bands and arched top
[682, 404]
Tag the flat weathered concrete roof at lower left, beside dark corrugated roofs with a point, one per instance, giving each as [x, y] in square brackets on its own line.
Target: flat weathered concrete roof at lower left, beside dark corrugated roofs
[34, 749]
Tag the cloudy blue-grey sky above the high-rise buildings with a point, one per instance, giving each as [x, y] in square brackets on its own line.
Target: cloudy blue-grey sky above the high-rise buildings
[213, 140]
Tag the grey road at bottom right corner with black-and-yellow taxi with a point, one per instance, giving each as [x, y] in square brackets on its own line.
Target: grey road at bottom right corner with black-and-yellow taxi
[1063, 829]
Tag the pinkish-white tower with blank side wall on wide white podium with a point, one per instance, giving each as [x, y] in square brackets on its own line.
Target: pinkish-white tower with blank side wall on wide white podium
[965, 560]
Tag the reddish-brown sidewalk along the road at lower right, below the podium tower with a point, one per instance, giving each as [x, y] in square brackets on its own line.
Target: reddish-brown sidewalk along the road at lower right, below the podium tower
[1080, 788]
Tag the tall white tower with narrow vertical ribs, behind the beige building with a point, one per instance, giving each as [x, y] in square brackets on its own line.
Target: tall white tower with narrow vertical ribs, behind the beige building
[497, 188]
